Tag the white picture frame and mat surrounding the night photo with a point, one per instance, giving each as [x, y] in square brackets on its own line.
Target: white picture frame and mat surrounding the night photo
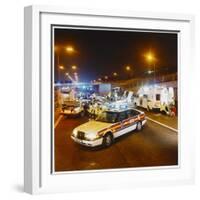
[38, 176]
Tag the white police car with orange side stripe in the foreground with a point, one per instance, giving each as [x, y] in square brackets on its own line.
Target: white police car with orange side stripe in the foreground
[107, 126]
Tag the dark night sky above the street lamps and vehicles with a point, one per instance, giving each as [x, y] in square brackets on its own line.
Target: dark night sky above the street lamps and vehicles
[101, 52]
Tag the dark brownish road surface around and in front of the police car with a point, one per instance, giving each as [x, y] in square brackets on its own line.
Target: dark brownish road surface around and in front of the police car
[155, 145]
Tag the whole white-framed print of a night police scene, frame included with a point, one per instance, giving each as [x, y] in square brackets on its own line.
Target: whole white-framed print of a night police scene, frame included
[105, 97]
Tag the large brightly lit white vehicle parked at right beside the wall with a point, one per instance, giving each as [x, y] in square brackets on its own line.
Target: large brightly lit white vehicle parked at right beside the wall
[155, 97]
